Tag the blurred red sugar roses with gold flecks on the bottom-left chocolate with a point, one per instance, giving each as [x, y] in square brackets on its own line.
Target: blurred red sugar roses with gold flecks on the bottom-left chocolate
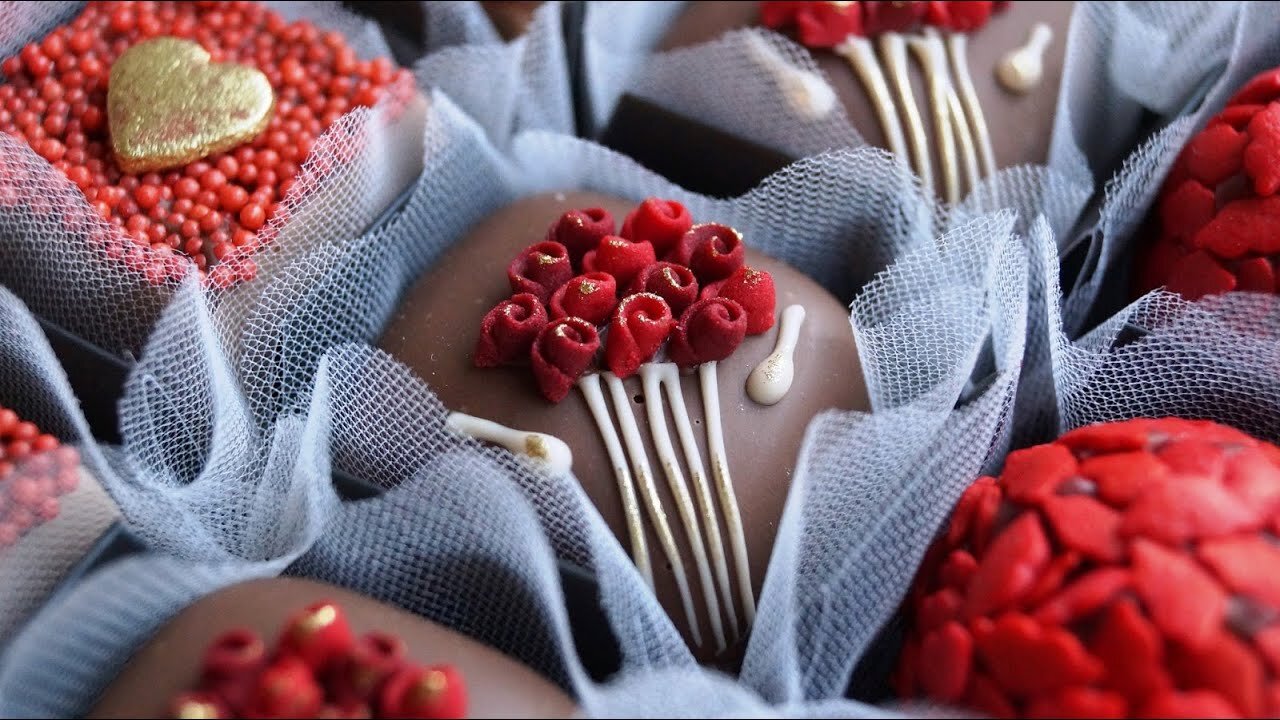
[321, 669]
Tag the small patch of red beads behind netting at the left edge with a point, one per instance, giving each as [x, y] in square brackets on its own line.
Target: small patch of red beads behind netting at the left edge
[35, 471]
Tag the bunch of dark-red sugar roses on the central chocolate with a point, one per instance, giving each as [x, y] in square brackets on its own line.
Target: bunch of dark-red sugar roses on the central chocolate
[680, 282]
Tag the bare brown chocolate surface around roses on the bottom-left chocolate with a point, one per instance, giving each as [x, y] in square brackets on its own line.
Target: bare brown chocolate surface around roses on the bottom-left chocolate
[497, 686]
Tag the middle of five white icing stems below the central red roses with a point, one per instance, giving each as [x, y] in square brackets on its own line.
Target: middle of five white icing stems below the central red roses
[652, 377]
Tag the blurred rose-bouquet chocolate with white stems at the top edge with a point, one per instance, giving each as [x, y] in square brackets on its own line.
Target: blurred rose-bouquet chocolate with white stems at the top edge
[1018, 95]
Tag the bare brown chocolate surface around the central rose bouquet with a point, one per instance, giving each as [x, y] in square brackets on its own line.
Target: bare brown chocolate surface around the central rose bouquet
[437, 326]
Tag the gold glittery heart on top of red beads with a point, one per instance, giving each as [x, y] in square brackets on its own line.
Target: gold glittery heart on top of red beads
[168, 106]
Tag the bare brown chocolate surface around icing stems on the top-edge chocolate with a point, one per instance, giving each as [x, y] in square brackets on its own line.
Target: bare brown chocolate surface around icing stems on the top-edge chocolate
[1020, 125]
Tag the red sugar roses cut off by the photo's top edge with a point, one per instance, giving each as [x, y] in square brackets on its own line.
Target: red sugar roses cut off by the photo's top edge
[828, 25]
